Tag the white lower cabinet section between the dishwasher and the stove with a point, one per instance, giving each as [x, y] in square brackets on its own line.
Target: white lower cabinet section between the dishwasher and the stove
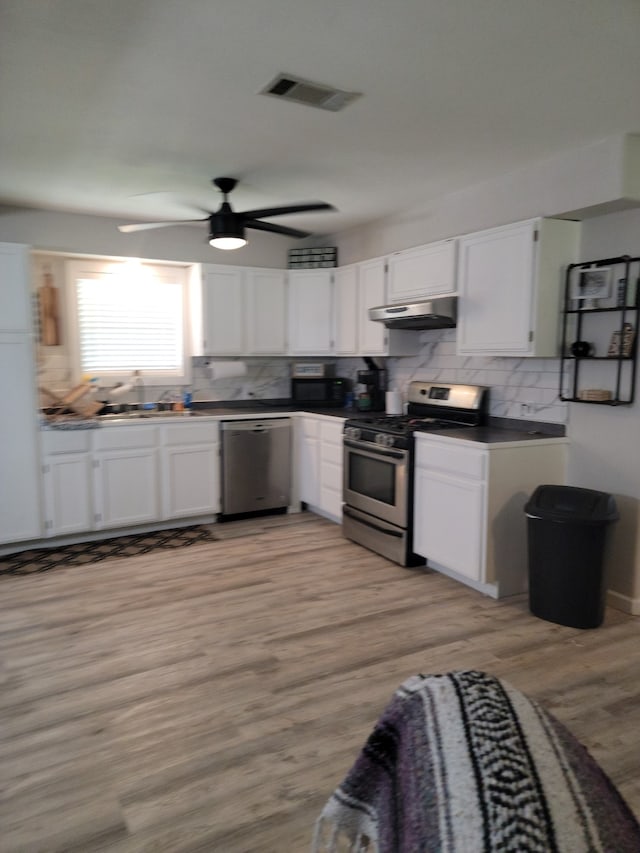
[319, 468]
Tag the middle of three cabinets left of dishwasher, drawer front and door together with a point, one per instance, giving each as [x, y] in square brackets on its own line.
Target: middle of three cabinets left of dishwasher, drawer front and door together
[126, 481]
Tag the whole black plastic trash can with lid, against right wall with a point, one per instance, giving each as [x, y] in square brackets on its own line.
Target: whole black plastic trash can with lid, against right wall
[567, 531]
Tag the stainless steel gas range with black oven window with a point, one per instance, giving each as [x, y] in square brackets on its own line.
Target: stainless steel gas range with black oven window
[378, 464]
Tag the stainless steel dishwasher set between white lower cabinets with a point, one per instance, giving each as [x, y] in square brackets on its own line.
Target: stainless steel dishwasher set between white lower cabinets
[256, 465]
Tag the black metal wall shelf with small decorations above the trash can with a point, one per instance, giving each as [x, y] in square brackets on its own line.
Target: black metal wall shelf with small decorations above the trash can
[583, 323]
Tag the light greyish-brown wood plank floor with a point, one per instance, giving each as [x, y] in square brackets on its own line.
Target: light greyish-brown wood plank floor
[212, 698]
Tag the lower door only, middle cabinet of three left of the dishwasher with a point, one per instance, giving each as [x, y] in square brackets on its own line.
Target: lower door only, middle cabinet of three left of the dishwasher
[126, 487]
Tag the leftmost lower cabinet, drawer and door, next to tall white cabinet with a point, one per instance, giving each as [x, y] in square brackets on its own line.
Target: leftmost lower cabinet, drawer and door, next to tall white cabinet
[67, 471]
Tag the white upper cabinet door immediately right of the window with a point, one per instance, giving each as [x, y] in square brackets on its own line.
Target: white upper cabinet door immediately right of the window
[224, 311]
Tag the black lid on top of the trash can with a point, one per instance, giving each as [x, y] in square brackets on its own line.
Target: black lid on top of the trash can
[569, 503]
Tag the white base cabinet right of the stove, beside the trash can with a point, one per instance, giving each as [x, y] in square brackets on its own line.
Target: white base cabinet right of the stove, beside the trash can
[469, 518]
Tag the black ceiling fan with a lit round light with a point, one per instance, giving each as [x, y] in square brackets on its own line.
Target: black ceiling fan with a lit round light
[226, 228]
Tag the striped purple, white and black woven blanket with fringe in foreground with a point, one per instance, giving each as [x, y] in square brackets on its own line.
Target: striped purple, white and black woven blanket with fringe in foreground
[464, 763]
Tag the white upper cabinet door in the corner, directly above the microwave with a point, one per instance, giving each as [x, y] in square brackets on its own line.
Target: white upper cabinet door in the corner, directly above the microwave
[310, 312]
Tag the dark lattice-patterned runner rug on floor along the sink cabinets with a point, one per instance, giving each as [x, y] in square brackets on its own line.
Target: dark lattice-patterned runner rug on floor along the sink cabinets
[40, 560]
